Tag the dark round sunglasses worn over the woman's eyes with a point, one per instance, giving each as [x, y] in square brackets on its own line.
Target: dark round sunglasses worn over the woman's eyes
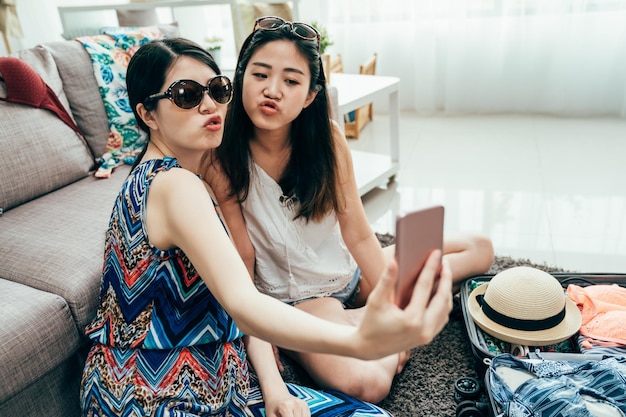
[188, 94]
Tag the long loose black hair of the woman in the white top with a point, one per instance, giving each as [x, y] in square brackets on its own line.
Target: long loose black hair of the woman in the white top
[311, 173]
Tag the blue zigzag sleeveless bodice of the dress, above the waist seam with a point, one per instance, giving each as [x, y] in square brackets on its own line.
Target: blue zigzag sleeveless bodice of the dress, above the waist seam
[152, 299]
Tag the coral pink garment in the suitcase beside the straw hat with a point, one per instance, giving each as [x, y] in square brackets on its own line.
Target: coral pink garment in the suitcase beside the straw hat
[603, 309]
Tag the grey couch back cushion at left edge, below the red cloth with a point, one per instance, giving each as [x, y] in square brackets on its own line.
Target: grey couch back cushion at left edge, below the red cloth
[40, 153]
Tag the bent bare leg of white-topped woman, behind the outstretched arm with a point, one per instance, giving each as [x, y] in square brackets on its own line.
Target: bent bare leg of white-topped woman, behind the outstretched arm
[367, 380]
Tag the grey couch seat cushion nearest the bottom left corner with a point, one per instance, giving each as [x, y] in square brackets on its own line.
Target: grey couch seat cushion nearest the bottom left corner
[37, 334]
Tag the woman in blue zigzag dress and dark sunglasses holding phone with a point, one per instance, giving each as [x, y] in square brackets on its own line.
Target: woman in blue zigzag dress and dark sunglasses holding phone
[176, 298]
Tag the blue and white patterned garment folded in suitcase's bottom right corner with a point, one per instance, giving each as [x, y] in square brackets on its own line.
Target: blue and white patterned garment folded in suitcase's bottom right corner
[546, 388]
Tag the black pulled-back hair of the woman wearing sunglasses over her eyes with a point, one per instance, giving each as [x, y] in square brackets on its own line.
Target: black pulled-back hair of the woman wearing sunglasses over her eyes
[147, 70]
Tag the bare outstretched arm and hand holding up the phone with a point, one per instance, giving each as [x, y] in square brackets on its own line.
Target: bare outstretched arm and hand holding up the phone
[181, 214]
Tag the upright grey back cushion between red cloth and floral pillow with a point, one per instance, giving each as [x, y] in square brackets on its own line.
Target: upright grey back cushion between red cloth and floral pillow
[81, 89]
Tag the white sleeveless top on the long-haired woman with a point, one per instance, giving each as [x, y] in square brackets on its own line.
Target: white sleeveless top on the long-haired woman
[295, 260]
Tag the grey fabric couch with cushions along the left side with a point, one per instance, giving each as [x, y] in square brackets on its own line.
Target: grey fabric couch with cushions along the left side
[54, 216]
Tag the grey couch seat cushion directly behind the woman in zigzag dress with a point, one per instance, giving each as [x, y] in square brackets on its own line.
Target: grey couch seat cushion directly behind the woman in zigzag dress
[56, 242]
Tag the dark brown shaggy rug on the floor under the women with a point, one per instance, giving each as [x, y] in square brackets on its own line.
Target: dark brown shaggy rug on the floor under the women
[426, 385]
